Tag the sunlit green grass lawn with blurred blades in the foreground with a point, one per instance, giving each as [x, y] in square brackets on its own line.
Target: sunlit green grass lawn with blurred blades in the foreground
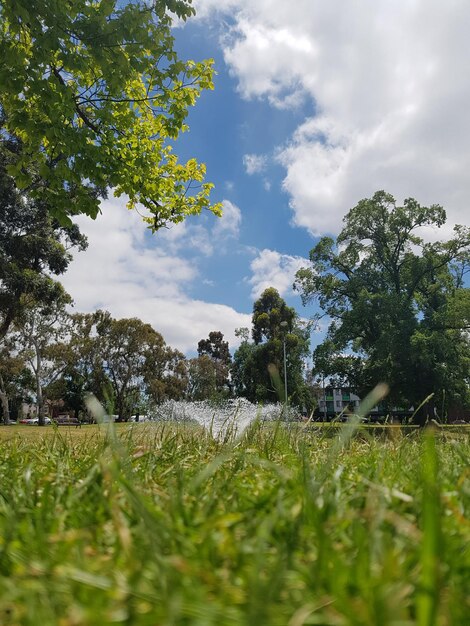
[159, 524]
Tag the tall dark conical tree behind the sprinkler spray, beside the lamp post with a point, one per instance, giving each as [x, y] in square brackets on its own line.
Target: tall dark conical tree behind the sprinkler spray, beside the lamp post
[258, 368]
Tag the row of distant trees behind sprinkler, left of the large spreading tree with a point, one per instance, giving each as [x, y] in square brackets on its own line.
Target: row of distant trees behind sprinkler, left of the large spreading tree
[52, 356]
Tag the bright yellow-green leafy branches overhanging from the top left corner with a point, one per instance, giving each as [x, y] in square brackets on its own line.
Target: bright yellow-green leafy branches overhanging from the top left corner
[96, 94]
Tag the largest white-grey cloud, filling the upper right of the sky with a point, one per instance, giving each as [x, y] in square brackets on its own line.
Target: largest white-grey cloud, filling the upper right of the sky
[390, 87]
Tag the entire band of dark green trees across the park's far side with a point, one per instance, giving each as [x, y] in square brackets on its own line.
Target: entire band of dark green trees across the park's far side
[398, 310]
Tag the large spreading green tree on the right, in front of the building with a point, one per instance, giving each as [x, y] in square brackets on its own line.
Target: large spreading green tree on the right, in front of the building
[399, 306]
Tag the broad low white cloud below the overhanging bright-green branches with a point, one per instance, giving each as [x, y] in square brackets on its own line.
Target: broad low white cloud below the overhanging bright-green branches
[133, 275]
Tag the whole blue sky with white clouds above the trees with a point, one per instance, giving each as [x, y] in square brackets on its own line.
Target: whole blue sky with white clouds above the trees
[317, 104]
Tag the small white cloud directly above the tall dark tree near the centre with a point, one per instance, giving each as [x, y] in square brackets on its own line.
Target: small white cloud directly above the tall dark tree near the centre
[272, 269]
